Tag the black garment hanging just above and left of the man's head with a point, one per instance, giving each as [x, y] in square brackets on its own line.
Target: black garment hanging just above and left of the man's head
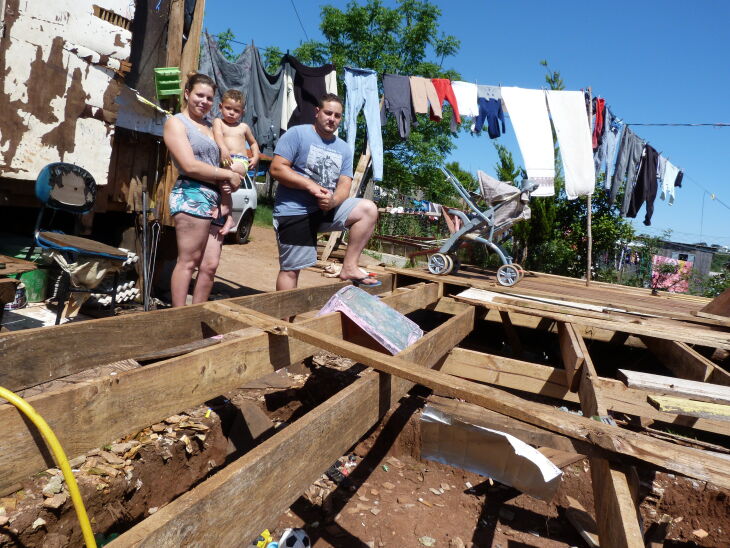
[310, 84]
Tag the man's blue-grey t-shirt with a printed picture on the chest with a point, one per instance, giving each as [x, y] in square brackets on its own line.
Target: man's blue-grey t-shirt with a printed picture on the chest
[320, 160]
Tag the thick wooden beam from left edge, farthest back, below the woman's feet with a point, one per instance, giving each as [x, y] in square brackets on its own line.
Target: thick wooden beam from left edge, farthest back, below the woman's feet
[34, 356]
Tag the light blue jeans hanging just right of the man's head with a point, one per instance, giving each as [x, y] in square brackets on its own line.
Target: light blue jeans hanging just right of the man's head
[362, 89]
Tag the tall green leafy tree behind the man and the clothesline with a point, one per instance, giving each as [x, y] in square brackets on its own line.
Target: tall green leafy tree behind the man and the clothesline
[401, 40]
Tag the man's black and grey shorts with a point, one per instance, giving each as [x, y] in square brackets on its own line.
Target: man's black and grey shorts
[297, 234]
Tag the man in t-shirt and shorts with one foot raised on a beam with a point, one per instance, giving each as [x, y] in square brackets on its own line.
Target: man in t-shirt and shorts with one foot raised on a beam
[314, 170]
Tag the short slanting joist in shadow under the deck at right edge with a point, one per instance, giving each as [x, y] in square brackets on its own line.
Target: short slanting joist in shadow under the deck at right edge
[686, 362]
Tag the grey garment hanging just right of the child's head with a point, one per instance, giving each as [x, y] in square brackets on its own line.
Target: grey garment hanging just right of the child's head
[263, 104]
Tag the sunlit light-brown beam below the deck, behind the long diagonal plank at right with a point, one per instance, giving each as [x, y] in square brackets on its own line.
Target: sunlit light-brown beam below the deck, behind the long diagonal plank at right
[548, 381]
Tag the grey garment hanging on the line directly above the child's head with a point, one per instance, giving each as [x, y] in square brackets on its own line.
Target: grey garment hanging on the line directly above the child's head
[226, 74]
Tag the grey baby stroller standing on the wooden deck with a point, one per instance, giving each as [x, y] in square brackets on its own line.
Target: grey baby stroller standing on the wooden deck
[507, 204]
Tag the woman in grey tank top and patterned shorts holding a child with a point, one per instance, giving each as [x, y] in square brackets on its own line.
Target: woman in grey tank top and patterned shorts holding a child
[195, 198]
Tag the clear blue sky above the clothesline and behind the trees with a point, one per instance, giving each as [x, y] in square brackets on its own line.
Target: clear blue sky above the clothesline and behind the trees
[653, 62]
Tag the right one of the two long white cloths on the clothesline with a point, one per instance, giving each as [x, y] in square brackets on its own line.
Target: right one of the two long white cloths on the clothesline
[567, 109]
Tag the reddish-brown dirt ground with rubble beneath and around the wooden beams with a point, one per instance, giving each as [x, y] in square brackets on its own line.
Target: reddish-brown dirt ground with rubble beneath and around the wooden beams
[385, 495]
